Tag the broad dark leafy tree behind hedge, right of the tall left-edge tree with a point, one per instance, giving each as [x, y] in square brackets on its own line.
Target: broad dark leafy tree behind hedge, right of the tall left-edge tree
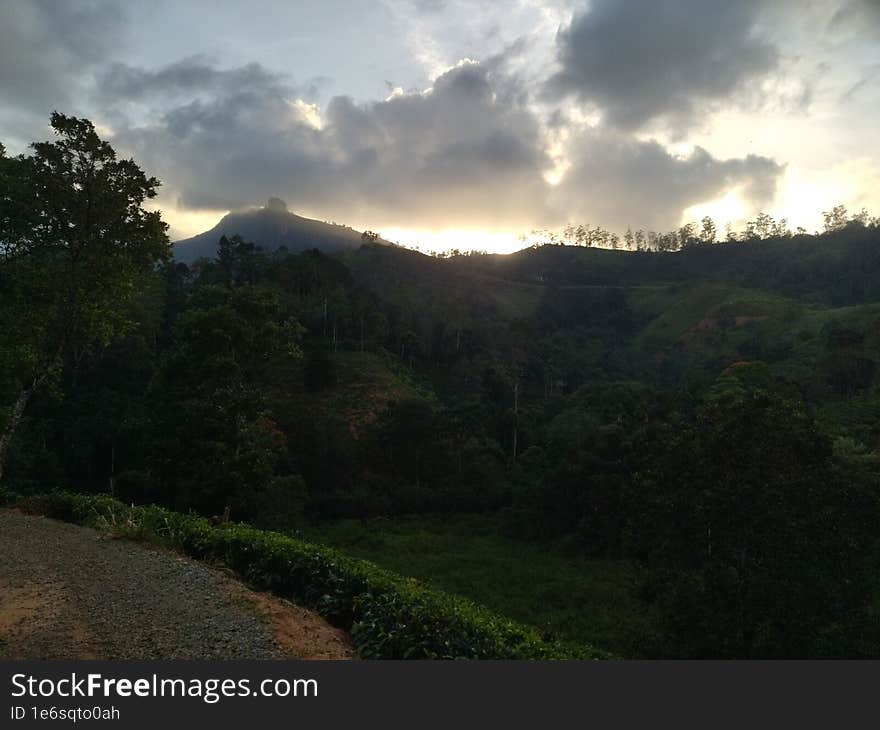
[216, 440]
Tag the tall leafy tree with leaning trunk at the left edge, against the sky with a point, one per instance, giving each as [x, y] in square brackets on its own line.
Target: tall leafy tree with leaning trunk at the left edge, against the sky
[76, 246]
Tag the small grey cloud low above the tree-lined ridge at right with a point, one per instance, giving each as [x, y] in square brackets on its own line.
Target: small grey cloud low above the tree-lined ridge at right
[618, 181]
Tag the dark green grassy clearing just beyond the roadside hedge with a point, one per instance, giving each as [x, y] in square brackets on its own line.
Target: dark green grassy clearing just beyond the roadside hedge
[553, 588]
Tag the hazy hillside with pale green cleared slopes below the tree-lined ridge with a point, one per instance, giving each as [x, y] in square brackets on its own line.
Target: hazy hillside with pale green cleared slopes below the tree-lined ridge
[808, 307]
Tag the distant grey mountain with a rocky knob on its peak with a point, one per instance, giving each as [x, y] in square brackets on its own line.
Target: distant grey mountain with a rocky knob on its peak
[270, 227]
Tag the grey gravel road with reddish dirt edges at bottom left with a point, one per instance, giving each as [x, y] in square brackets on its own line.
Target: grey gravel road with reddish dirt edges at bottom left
[69, 592]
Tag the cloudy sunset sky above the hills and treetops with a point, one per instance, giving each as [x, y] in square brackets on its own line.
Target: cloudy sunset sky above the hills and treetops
[457, 123]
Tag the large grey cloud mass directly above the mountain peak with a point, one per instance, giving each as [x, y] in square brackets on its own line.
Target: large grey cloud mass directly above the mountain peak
[466, 152]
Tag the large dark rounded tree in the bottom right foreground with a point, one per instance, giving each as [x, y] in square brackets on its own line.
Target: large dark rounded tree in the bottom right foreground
[758, 546]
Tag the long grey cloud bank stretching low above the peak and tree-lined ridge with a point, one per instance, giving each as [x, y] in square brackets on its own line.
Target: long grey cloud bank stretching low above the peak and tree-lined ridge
[469, 151]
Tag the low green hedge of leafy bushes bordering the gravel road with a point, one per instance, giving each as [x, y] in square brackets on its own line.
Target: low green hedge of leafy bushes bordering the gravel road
[389, 616]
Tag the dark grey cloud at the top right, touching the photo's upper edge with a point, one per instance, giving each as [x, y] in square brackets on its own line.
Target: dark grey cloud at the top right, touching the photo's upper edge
[640, 60]
